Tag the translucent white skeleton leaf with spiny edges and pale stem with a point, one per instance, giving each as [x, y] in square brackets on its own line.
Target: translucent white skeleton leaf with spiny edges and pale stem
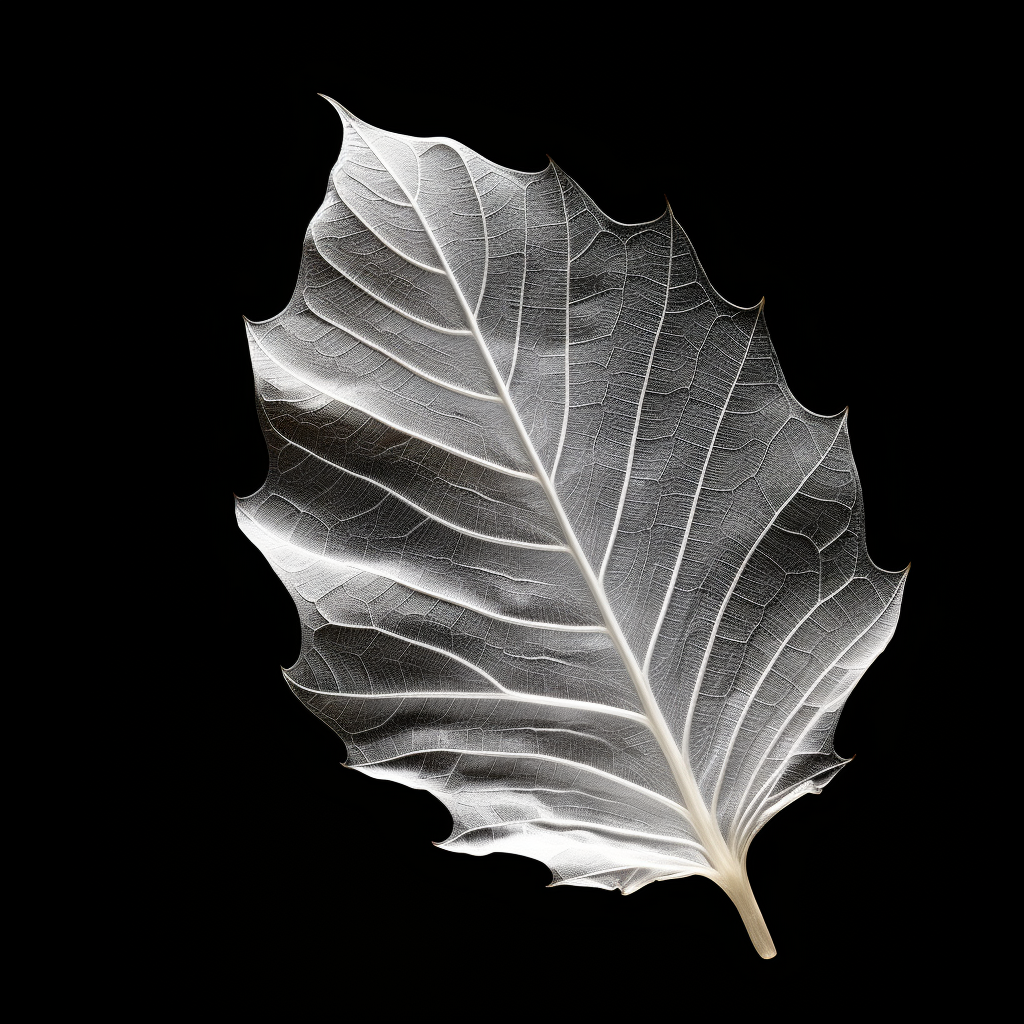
[567, 551]
